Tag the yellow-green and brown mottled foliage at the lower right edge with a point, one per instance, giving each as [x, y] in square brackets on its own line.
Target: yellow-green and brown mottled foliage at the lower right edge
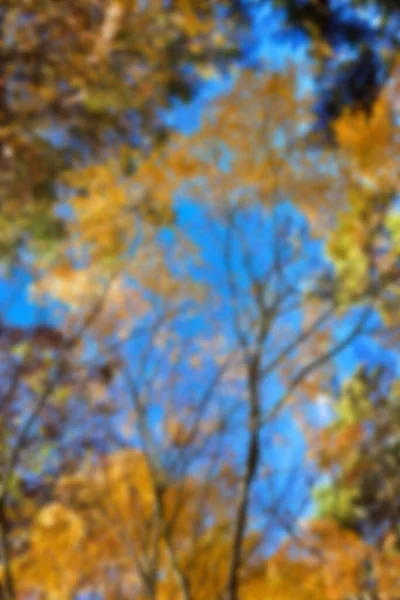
[362, 495]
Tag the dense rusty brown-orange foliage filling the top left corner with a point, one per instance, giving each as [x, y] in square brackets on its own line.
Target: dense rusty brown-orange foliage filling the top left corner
[78, 79]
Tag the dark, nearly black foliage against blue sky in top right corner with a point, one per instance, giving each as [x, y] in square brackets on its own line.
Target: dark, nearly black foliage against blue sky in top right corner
[355, 44]
